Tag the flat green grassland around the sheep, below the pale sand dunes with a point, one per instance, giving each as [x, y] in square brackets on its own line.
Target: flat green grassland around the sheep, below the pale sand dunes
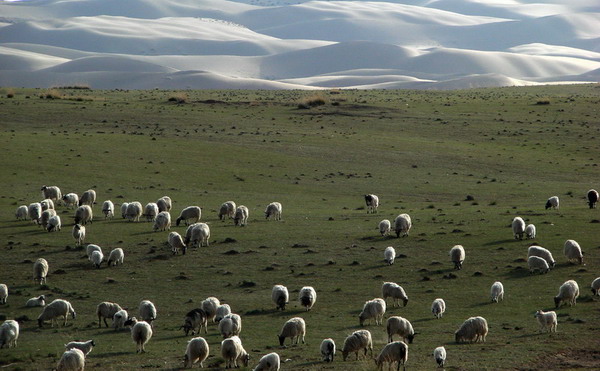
[423, 153]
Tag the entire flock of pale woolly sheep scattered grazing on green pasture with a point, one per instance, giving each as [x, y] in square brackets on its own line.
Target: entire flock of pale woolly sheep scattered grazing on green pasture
[473, 329]
